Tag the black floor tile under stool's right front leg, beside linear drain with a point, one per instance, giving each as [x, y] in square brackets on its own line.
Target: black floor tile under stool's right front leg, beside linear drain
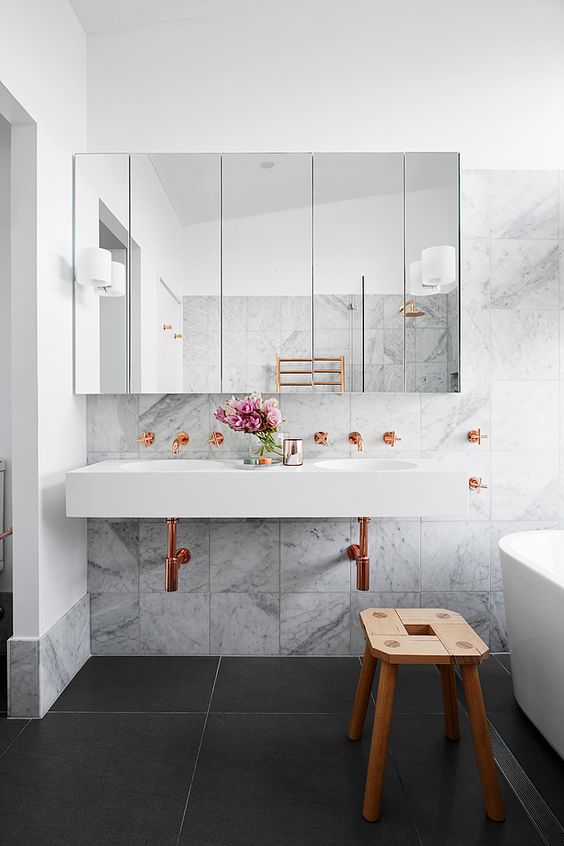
[443, 788]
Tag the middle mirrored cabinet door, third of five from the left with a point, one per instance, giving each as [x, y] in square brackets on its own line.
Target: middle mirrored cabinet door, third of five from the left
[266, 272]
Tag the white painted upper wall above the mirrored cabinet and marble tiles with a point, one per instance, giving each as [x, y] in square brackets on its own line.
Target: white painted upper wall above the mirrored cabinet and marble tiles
[482, 77]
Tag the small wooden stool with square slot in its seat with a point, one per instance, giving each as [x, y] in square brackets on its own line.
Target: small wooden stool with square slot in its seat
[422, 636]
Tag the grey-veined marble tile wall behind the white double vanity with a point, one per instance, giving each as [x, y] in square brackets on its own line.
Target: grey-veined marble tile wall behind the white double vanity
[265, 587]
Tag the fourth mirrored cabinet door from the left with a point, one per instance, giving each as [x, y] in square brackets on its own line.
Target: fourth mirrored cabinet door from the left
[358, 268]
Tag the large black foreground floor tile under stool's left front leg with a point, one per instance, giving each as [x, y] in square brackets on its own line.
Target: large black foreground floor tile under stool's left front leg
[287, 780]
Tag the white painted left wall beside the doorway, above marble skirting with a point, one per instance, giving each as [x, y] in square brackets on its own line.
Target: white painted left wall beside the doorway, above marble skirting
[43, 66]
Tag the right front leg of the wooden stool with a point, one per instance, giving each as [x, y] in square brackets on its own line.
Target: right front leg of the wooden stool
[482, 742]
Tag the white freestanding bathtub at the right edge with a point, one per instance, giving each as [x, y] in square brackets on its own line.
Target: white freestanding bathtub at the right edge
[532, 565]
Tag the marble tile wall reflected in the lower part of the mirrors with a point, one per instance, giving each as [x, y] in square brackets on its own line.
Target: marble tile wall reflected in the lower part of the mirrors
[257, 329]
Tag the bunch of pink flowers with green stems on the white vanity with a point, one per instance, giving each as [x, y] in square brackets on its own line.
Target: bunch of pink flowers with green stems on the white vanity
[255, 416]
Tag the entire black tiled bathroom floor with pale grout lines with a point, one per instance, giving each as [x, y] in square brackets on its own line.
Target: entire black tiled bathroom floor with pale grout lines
[243, 751]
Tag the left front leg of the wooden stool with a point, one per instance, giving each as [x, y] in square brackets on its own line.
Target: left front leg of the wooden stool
[379, 744]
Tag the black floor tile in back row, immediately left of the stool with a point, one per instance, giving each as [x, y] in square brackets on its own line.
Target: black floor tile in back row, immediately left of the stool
[285, 685]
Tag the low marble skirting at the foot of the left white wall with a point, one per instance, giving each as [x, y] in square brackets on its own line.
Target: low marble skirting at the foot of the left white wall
[39, 669]
